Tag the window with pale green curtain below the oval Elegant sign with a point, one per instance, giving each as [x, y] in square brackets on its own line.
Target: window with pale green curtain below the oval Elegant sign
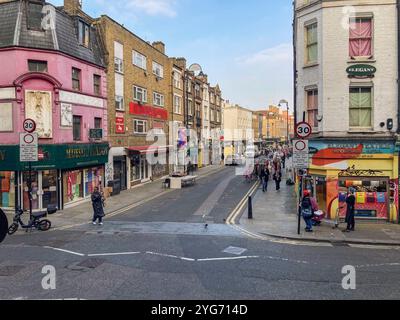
[361, 107]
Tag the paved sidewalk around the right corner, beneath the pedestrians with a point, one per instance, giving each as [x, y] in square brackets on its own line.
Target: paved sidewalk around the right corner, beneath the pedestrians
[275, 215]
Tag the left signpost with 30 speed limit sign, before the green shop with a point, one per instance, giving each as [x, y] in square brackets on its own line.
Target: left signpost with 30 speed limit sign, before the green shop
[28, 152]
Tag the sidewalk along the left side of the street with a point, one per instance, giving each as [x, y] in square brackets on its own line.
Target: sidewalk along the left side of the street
[83, 212]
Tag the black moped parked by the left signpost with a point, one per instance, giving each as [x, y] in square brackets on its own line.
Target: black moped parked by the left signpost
[36, 222]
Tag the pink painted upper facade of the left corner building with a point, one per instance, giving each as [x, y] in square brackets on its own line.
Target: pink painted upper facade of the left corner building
[58, 81]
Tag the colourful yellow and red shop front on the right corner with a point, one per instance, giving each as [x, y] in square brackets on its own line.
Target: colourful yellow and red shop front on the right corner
[369, 168]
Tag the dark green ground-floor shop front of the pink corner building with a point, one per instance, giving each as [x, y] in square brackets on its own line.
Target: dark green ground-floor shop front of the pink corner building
[65, 175]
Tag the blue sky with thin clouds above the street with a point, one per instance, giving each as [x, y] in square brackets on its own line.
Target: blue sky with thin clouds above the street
[244, 46]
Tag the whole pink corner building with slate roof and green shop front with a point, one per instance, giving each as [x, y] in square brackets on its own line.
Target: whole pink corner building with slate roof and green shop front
[52, 73]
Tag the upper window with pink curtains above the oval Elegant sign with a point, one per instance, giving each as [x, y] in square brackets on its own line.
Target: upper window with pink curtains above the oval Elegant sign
[360, 37]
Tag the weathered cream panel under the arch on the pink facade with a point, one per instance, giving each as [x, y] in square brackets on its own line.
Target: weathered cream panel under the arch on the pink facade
[38, 107]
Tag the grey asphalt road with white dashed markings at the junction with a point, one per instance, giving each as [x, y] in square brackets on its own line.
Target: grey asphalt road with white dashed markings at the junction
[162, 250]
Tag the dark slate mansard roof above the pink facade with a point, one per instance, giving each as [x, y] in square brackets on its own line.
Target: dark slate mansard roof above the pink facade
[14, 32]
